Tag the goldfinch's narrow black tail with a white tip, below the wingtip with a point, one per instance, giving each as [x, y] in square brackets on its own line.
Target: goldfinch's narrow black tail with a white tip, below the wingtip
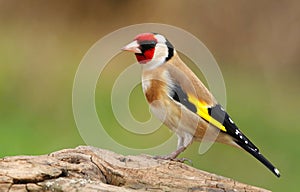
[255, 153]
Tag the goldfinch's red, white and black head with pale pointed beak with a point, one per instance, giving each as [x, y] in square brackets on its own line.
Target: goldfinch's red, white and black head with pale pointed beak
[151, 49]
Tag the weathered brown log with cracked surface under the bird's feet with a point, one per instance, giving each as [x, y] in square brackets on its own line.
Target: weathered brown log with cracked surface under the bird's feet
[88, 168]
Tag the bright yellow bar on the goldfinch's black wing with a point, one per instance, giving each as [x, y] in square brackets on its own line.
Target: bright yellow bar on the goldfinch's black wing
[202, 111]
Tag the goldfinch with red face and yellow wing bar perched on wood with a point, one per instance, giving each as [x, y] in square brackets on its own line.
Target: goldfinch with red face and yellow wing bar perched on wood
[181, 101]
